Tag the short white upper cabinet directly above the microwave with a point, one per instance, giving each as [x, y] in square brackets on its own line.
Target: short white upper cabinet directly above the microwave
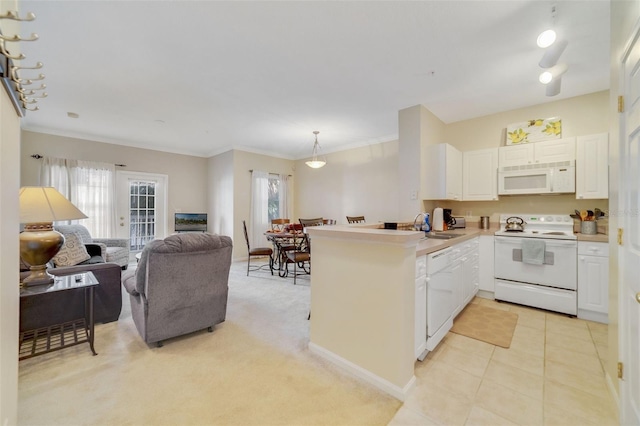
[538, 152]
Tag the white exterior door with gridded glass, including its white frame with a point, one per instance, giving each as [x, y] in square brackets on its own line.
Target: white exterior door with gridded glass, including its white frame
[141, 207]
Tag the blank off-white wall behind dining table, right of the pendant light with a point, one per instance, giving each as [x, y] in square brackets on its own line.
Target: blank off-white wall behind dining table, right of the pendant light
[359, 181]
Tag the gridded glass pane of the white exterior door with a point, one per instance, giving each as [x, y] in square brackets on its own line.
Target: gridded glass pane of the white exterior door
[142, 213]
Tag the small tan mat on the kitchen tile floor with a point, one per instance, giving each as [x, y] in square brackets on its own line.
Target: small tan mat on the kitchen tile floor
[486, 324]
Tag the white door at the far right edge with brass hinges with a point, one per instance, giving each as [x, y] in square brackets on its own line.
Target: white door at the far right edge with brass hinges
[629, 252]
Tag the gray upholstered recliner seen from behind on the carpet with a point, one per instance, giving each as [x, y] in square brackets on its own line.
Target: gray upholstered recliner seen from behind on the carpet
[180, 285]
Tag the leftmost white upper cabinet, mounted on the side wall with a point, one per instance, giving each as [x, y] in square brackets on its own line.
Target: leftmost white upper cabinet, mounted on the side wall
[443, 165]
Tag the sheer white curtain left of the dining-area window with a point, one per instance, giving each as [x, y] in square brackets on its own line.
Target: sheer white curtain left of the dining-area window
[259, 222]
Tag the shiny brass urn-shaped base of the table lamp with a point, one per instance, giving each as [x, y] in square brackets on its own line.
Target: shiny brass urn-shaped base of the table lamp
[39, 243]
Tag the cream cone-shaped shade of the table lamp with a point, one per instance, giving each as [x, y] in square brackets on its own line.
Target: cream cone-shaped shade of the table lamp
[46, 204]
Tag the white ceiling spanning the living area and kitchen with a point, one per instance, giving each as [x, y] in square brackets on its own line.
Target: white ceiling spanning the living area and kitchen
[203, 77]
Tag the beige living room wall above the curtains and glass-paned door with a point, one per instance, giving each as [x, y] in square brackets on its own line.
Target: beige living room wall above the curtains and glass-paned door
[188, 175]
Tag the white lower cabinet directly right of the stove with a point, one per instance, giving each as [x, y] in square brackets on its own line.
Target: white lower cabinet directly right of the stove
[593, 281]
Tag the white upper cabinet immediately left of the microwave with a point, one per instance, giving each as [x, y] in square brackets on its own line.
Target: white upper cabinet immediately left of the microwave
[480, 175]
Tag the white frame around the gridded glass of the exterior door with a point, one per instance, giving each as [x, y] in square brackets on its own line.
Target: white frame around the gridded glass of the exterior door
[162, 203]
